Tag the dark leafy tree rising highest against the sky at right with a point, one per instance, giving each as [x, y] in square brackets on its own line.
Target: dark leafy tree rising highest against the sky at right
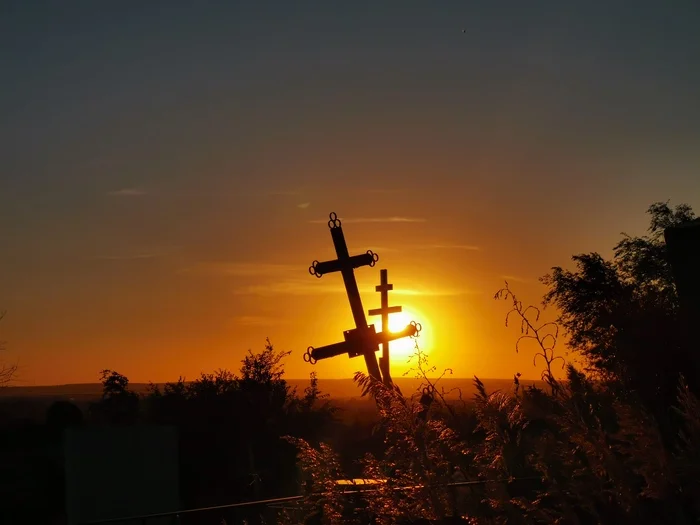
[622, 314]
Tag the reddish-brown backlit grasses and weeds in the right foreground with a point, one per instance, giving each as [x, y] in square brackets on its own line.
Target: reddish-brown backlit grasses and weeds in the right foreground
[576, 452]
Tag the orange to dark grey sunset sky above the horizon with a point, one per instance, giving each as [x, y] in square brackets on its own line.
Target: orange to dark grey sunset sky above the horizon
[167, 170]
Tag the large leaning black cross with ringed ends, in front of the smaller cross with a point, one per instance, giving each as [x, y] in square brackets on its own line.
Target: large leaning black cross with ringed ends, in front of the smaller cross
[363, 339]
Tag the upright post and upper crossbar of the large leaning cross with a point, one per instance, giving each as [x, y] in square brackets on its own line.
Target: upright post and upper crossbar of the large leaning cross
[346, 265]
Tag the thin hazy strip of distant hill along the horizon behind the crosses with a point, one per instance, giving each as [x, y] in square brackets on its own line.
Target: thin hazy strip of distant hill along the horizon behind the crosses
[337, 388]
